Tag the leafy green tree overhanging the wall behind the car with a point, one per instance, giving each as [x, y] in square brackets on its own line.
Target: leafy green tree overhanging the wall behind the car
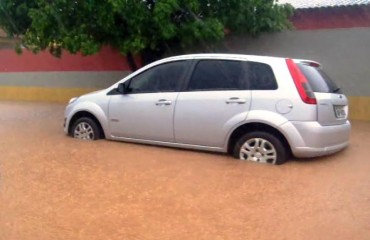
[146, 27]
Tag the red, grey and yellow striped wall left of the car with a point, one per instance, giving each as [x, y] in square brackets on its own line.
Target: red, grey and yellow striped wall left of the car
[42, 77]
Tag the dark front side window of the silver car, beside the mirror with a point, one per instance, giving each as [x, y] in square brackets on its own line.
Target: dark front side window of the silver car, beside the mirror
[163, 78]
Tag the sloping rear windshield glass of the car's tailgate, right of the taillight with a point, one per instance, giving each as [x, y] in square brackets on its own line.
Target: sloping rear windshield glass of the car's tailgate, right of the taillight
[318, 79]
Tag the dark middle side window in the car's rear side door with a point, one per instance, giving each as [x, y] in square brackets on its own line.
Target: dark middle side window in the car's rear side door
[215, 75]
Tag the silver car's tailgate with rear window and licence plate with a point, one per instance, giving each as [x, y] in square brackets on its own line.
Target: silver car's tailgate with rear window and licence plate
[332, 104]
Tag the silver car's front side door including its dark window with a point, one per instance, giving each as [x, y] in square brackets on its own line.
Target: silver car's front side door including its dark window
[146, 110]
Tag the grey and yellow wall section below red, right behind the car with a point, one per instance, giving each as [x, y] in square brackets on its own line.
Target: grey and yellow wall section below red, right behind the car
[343, 53]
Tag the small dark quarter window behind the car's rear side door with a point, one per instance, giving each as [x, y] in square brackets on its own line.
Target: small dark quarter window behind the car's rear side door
[261, 77]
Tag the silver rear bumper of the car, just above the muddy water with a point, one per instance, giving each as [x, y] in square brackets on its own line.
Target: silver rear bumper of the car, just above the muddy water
[317, 140]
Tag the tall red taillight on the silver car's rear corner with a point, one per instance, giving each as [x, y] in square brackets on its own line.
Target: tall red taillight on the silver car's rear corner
[300, 81]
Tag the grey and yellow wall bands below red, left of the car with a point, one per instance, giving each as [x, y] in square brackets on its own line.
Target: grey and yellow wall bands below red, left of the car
[54, 86]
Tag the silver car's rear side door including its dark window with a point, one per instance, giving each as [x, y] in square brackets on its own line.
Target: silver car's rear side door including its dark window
[216, 99]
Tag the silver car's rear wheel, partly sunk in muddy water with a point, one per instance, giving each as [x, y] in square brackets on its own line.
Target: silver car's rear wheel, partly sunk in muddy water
[261, 147]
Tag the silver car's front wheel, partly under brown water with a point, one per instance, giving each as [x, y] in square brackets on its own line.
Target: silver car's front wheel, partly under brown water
[86, 129]
